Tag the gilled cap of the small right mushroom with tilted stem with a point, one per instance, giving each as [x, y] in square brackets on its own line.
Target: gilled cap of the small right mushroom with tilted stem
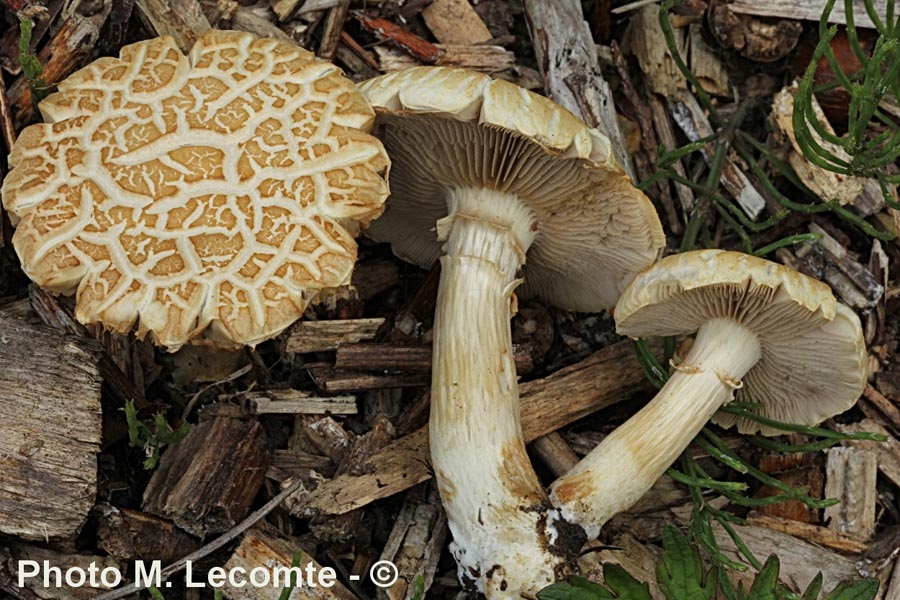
[813, 354]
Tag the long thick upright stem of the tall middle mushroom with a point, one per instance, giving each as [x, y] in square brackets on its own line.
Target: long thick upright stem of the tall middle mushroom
[504, 538]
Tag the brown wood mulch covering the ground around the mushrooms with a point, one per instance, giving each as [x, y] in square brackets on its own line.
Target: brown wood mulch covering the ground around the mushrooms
[322, 427]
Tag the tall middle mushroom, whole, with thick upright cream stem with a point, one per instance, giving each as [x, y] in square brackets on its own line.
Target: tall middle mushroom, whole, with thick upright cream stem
[495, 172]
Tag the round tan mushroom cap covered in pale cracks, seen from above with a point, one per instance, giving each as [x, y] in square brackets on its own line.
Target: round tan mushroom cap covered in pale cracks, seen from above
[216, 192]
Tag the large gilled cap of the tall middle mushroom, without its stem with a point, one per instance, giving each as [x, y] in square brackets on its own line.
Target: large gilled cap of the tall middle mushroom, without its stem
[448, 128]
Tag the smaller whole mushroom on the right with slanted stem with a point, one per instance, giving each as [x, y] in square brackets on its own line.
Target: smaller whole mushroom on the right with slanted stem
[765, 334]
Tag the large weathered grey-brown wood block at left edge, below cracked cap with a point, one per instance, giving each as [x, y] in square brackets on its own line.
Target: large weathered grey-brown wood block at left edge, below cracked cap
[50, 431]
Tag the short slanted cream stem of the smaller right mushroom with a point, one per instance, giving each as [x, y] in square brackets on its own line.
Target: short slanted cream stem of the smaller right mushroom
[619, 470]
